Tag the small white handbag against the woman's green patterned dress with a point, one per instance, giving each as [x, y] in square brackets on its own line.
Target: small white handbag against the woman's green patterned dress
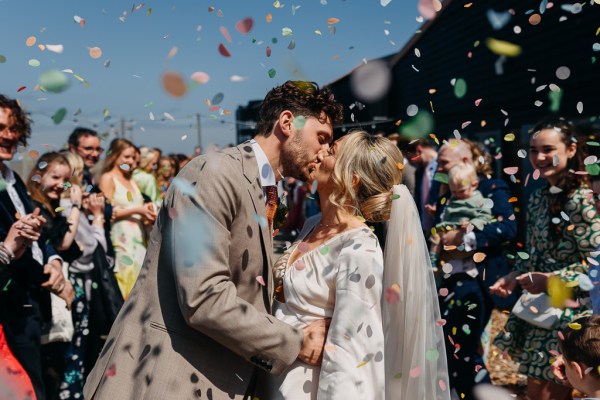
[536, 310]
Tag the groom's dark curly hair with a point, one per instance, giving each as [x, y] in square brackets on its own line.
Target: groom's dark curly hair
[302, 99]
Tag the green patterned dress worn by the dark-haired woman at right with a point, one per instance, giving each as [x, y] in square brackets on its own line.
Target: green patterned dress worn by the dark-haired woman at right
[567, 258]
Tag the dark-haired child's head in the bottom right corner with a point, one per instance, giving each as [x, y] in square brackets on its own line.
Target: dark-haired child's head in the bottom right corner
[581, 356]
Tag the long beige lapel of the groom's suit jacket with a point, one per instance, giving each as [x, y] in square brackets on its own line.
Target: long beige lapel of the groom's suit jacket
[255, 190]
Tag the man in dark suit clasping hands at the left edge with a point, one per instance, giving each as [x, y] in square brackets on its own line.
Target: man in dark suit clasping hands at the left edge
[25, 301]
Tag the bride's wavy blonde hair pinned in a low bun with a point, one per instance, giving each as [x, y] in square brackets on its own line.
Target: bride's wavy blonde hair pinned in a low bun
[376, 163]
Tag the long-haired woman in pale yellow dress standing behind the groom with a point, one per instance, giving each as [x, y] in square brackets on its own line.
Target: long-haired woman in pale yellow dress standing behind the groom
[129, 213]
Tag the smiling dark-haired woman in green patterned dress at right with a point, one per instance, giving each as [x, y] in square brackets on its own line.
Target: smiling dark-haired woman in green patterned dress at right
[562, 229]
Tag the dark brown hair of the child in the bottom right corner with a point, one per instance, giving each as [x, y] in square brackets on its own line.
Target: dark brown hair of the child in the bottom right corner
[581, 342]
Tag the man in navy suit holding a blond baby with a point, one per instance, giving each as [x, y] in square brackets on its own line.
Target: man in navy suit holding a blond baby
[465, 300]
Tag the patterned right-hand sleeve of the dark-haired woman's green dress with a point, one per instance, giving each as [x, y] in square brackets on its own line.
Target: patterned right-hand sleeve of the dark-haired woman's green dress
[582, 234]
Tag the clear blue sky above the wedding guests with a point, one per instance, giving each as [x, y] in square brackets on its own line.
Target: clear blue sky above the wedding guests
[182, 36]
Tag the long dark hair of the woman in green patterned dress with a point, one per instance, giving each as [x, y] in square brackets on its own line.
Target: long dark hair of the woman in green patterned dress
[568, 181]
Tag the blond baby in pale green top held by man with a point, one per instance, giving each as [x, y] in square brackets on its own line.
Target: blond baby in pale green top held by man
[466, 206]
